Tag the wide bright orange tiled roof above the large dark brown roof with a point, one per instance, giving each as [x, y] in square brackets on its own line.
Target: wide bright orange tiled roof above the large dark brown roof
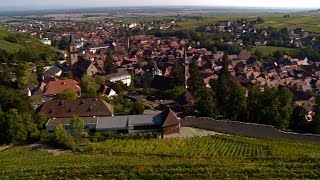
[55, 87]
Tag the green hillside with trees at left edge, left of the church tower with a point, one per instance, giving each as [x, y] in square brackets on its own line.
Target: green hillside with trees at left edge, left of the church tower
[17, 47]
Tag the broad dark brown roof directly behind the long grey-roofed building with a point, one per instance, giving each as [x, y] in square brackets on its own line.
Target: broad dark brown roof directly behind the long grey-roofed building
[79, 107]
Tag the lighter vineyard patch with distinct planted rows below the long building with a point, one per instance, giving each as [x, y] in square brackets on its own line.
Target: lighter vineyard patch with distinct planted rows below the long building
[200, 147]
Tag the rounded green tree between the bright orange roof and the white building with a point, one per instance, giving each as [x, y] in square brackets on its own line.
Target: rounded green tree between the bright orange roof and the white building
[89, 87]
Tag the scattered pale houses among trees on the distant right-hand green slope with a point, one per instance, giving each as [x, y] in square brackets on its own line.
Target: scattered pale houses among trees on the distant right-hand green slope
[242, 30]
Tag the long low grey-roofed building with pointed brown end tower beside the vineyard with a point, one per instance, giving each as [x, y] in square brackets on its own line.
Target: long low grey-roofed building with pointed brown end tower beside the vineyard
[165, 123]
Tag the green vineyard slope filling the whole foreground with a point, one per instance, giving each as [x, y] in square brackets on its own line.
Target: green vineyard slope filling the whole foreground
[195, 158]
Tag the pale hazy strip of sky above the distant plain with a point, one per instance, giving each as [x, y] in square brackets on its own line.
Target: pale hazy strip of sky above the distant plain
[53, 4]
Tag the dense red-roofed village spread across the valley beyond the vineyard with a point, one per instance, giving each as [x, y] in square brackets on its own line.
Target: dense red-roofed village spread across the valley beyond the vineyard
[138, 68]
